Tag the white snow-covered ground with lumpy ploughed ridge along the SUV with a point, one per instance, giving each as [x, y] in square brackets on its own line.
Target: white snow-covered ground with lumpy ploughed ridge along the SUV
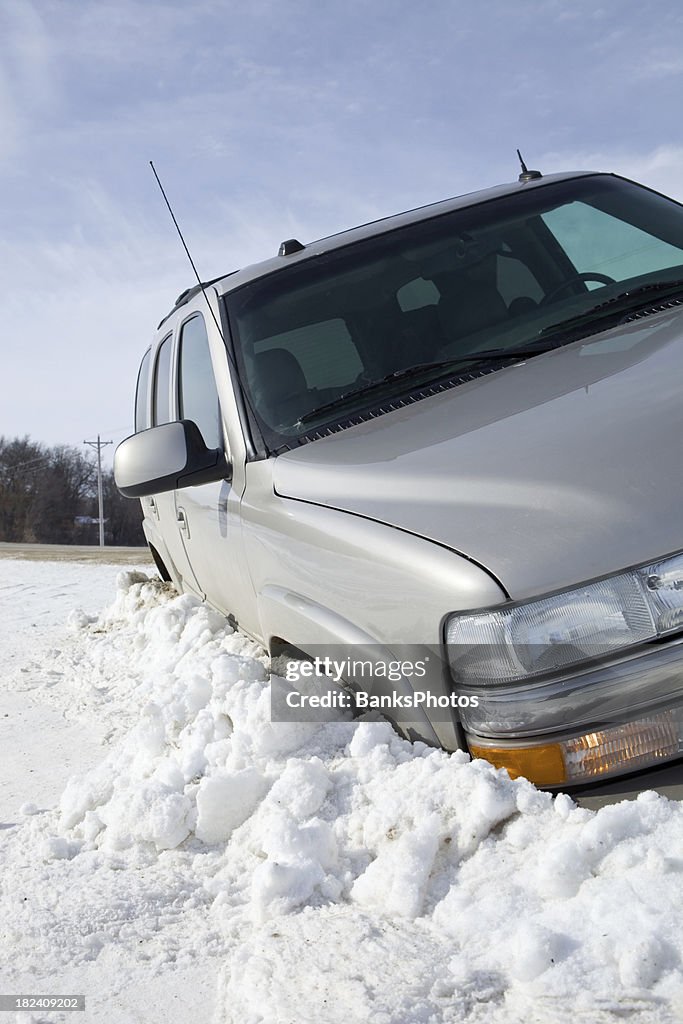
[170, 854]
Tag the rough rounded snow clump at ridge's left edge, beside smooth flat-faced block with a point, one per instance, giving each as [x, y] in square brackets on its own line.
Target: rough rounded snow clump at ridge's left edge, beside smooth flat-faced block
[151, 813]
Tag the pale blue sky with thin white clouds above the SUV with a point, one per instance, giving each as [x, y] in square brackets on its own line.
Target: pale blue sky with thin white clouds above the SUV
[270, 120]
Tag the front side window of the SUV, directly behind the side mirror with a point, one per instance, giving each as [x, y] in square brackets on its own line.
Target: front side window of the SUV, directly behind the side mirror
[198, 398]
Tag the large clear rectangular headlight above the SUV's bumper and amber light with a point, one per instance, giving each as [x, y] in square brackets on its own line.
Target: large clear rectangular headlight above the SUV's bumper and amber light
[550, 635]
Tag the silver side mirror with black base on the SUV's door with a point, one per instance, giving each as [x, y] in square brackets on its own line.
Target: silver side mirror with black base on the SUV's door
[166, 458]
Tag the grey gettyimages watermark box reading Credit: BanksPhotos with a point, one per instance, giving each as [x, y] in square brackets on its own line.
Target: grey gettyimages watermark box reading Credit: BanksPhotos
[332, 688]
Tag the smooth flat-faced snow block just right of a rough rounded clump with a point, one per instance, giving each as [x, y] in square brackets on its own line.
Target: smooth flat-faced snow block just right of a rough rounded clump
[226, 801]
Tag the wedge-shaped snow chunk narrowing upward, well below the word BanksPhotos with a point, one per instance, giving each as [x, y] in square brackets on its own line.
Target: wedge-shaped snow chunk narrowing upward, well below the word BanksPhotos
[396, 882]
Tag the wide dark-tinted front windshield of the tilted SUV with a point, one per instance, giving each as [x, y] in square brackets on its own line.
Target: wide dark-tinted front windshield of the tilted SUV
[398, 316]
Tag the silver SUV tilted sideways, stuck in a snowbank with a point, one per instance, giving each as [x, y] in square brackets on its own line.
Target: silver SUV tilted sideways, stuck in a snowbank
[448, 443]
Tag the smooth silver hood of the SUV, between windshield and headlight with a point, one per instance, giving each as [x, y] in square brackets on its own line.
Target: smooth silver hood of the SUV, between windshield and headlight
[554, 472]
